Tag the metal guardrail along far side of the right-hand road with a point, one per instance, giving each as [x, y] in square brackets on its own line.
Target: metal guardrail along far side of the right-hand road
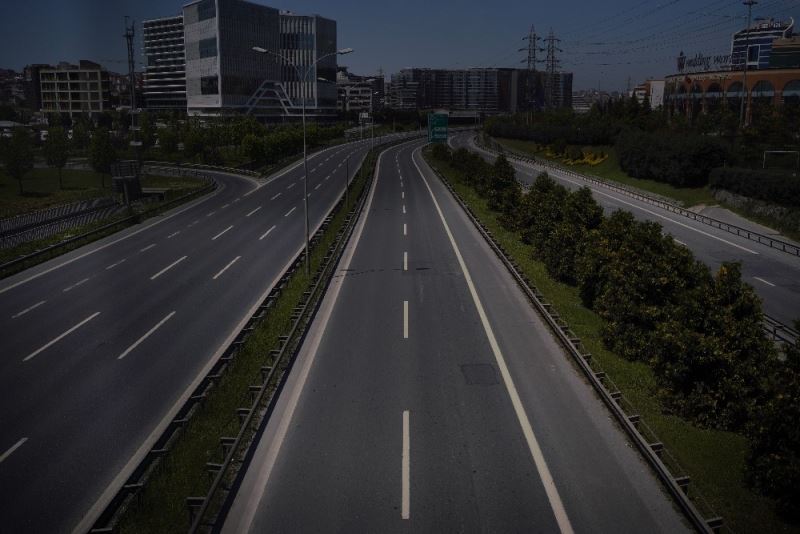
[777, 244]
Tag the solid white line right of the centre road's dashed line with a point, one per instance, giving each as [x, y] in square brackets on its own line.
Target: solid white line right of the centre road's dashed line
[527, 430]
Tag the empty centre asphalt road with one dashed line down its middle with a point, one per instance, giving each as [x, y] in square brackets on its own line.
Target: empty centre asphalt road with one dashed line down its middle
[430, 397]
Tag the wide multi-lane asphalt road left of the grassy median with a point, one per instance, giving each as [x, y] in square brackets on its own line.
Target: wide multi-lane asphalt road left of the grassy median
[100, 345]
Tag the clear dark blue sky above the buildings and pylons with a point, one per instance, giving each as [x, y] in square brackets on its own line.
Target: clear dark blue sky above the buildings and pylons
[602, 43]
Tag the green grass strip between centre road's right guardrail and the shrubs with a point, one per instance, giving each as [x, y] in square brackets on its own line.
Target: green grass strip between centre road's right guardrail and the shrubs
[714, 459]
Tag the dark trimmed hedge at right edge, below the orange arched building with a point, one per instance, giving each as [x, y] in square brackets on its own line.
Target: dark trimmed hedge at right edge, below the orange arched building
[778, 187]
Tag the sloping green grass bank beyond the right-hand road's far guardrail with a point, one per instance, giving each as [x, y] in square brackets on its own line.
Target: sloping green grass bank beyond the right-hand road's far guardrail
[610, 170]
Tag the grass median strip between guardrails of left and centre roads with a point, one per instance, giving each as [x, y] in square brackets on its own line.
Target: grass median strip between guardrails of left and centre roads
[161, 506]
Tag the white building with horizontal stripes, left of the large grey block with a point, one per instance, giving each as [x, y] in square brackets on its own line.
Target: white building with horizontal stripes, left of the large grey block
[165, 64]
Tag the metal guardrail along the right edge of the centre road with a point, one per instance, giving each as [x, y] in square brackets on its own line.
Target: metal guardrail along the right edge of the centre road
[666, 467]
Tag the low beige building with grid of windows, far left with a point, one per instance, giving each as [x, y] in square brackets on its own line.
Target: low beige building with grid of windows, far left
[74, 89]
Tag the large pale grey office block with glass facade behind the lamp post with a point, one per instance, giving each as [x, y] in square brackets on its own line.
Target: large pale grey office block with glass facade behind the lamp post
[225, 76]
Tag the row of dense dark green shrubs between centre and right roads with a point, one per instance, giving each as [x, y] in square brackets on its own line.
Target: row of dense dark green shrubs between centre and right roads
[700, 332]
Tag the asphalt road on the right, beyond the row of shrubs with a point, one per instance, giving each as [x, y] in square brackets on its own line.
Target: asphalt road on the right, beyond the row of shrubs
[775, 275]
